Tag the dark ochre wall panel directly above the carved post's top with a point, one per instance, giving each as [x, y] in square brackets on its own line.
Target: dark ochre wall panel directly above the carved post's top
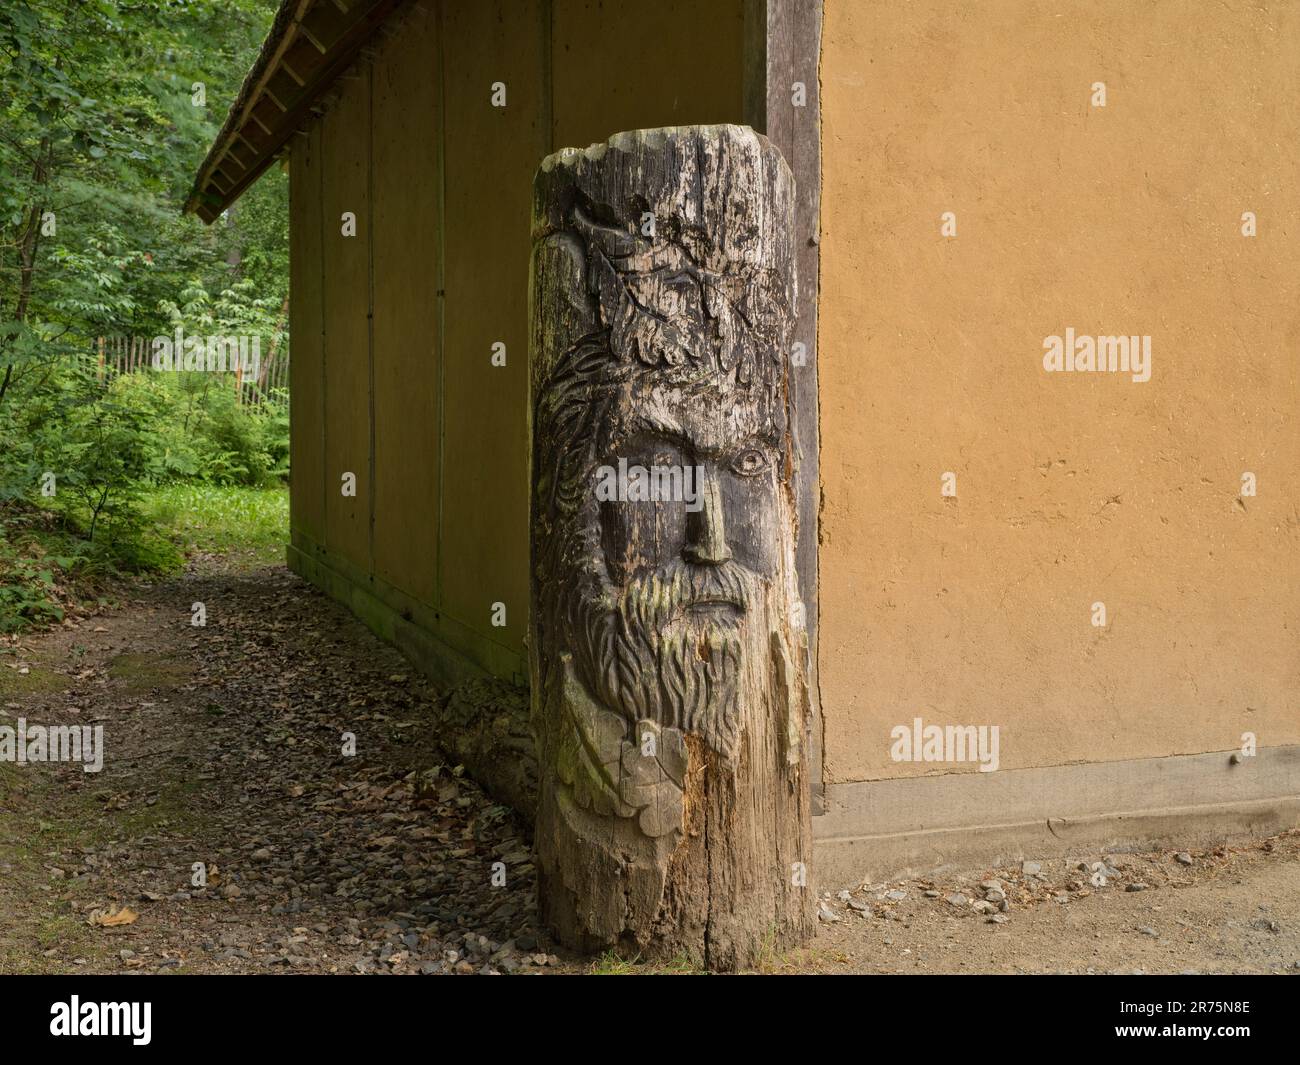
[627, 67]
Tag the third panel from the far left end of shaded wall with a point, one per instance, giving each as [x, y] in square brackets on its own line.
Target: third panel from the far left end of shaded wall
[406, 309]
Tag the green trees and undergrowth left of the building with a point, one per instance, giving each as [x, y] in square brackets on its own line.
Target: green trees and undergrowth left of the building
[101, 136]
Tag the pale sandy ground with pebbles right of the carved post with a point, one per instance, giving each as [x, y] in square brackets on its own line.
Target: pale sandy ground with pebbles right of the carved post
[1223, 911]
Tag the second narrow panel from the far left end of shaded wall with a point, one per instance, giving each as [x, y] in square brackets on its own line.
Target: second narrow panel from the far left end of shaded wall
[346, 293]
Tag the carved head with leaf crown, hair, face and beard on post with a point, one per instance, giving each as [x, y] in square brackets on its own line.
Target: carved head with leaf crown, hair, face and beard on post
[671, 369]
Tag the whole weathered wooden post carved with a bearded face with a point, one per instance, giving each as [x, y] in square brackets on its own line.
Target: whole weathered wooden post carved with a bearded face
[668, 642]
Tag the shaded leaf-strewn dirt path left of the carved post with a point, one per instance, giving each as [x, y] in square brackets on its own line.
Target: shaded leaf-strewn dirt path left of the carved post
[224, 747]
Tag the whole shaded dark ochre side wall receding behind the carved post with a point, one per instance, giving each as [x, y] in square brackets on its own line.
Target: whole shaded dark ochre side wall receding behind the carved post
[395, 328]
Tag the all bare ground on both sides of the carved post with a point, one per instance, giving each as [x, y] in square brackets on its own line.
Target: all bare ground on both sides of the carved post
[224, 747]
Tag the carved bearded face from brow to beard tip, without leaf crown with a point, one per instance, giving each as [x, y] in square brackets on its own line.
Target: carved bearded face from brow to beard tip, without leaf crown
[687, 583]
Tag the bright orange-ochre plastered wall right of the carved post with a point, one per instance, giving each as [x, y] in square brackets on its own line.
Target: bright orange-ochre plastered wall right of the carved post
[1072, 490]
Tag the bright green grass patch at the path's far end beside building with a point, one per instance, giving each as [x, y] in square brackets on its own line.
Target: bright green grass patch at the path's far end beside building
[224, 519]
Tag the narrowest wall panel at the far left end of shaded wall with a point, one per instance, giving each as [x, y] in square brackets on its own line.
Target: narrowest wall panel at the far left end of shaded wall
[306, 503]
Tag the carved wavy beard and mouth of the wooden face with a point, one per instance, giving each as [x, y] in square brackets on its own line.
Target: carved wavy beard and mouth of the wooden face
[677, 647]
